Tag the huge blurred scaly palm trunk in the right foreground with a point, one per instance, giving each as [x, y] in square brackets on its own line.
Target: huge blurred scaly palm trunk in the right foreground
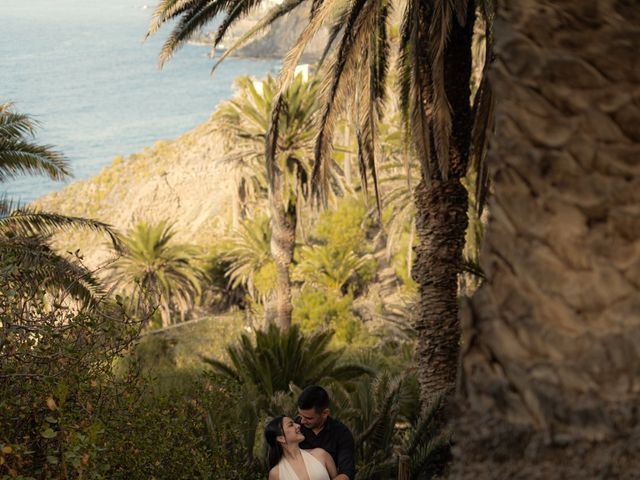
[551, 364]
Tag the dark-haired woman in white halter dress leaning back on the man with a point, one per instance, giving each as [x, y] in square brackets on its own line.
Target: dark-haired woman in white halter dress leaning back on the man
[288, 461]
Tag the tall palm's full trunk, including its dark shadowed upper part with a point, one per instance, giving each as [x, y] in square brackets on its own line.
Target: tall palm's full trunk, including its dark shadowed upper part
[441, 222]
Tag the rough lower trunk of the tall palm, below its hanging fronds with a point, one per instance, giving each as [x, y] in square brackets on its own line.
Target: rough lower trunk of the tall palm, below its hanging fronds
[441, 221]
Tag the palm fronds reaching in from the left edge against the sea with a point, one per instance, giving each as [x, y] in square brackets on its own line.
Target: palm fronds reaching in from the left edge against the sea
[24, 231]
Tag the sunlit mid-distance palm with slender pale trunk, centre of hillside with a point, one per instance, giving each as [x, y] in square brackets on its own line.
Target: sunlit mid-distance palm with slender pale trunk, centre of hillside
[247, 119]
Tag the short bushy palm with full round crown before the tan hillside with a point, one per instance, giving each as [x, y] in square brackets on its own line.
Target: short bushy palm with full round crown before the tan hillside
[155, 270]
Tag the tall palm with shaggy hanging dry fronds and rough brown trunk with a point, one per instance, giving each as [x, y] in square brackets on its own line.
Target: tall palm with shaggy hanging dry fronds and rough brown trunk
[435, 72]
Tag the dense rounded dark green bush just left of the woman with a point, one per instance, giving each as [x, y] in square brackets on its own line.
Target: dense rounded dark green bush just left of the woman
[178, 428]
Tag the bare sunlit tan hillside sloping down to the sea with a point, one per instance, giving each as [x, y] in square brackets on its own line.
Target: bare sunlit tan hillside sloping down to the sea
[180, 180]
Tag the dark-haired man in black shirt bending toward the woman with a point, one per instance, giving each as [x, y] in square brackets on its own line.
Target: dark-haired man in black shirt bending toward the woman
[320, 430]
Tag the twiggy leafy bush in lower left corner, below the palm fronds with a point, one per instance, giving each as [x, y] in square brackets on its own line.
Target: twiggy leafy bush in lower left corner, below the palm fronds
[56, 380]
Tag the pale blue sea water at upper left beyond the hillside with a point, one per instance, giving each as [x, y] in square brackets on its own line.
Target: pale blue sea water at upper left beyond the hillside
[81, 68]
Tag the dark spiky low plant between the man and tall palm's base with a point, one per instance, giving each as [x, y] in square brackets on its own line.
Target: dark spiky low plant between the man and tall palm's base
[395, 436]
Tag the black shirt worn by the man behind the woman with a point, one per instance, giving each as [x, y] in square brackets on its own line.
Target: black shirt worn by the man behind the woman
[336, 439]
